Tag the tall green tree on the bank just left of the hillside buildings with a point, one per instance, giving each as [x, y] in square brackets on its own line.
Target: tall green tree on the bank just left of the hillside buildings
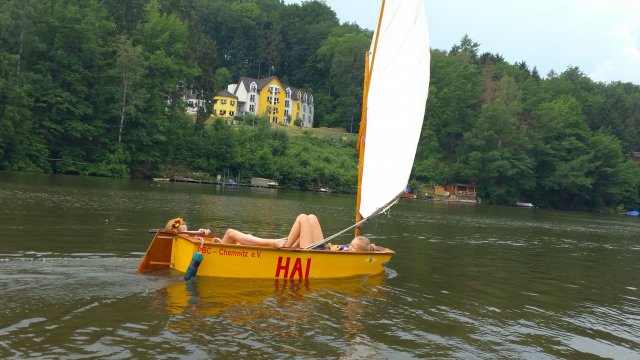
[163, 40]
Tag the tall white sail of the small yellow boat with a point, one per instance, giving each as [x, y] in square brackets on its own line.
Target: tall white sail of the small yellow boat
[396, 102]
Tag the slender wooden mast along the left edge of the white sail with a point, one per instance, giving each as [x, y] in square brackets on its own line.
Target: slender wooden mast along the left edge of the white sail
[362, 131]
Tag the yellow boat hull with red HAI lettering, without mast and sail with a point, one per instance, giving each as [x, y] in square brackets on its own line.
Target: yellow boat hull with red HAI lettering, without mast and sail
[240, 261]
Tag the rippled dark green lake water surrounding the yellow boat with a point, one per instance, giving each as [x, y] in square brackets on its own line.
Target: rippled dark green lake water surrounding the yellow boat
[468, 281]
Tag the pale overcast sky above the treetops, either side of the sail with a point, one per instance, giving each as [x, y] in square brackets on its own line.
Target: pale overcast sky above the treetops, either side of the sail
[601, 37]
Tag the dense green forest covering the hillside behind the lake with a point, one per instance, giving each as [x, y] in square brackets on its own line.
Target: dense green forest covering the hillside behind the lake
[96, 87]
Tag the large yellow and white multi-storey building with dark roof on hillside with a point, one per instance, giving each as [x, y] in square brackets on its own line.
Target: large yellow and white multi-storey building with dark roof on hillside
[281, 103]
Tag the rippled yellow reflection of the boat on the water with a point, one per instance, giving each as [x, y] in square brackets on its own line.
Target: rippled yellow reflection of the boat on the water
[205, 305]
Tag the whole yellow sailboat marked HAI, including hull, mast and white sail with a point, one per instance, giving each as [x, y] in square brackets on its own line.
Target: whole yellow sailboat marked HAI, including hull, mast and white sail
[396, 67]
